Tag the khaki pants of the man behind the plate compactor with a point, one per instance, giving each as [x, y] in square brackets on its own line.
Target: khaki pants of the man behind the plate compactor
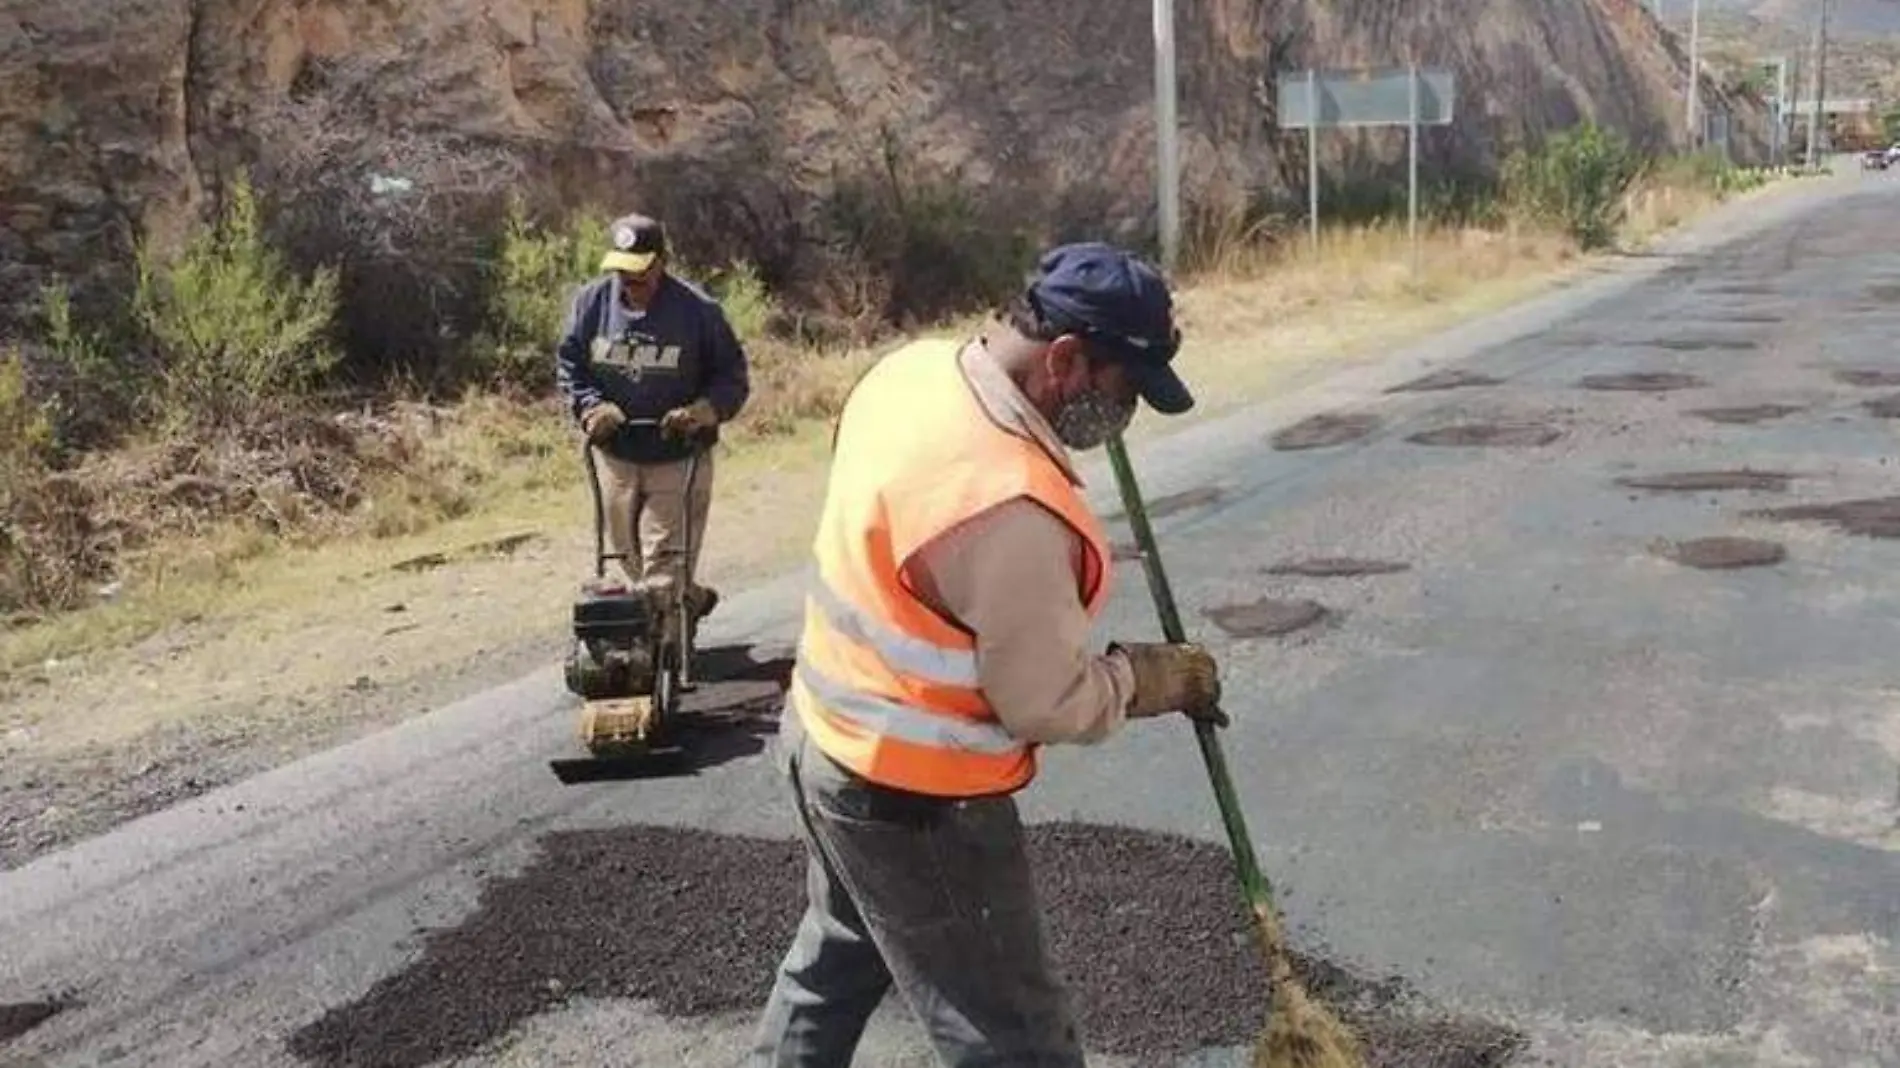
[651, 501]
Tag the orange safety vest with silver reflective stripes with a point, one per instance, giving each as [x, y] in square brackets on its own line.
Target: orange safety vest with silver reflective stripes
[884, 685]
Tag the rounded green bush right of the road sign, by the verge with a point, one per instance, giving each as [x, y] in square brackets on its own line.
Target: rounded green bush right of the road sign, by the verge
[1576, 181]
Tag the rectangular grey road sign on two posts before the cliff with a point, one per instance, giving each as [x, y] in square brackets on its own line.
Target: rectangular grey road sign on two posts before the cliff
[1405, 96]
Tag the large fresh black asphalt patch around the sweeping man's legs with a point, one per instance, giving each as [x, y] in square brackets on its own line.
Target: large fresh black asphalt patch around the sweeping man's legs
[1147, 930]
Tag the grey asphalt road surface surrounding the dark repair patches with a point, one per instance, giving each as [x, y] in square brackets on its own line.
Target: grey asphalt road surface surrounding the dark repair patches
[1548, 776]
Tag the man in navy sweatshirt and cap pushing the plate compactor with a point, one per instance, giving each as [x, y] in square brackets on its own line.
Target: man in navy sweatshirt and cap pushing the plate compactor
[643, 345]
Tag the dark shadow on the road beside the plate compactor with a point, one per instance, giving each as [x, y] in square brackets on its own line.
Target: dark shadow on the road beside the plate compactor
[732, 714]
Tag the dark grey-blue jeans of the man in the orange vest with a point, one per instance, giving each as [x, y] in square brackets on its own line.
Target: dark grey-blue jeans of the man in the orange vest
[922, 894]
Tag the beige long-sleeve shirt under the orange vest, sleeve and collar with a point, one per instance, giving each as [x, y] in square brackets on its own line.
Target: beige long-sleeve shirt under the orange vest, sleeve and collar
[1010, 579]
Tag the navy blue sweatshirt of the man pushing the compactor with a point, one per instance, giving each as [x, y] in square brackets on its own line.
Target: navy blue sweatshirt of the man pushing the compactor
[651, 362]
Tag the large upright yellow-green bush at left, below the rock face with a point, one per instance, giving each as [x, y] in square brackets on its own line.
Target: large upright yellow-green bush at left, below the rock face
[229, 320]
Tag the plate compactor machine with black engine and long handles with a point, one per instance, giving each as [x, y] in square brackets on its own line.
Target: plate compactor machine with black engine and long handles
[634, 643]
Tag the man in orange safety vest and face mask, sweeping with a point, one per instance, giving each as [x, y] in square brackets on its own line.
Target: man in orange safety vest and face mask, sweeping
[947, 638]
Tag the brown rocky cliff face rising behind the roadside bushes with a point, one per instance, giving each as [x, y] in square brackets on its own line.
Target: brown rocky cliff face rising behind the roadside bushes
[734, 117]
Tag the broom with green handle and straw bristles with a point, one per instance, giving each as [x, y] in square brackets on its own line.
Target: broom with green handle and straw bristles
[1301, 1031]
